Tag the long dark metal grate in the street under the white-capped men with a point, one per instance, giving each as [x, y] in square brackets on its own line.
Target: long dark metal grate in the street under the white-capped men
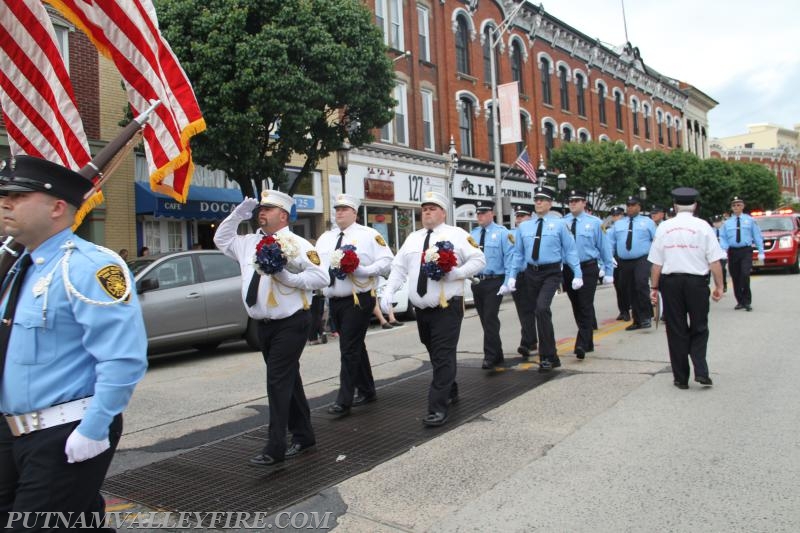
[218, 477]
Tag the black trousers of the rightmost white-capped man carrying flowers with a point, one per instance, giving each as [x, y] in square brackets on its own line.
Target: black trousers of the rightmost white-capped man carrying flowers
[439, 329]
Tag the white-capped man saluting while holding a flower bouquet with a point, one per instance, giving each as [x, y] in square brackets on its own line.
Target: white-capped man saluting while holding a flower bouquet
[279, 303]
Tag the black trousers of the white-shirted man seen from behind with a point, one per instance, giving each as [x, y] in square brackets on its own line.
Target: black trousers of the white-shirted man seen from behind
[685, 300]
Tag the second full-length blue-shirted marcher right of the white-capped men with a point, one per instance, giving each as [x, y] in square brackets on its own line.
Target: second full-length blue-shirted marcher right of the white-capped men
[543, 245]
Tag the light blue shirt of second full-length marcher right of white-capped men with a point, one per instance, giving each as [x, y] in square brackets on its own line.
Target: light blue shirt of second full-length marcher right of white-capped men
[557, 245]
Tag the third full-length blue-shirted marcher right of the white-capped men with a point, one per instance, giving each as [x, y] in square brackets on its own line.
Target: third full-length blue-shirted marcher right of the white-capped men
[594, 254]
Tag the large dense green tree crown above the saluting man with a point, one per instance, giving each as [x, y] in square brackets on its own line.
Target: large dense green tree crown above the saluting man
[279, 77]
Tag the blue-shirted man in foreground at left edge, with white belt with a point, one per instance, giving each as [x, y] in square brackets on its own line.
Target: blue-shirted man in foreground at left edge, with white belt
[72, 348]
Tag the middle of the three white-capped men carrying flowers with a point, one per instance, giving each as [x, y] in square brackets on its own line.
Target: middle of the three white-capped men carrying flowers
[352, 299]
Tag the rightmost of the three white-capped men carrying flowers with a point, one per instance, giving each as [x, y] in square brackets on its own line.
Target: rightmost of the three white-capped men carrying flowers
[439, 304]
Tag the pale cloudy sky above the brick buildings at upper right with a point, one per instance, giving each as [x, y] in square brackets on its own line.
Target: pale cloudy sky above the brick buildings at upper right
[743, 54]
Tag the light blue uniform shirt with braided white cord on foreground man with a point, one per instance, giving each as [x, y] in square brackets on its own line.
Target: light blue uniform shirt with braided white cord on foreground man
[74, 349]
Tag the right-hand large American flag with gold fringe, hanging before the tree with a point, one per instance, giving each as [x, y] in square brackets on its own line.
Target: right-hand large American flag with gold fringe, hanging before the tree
[126, 31]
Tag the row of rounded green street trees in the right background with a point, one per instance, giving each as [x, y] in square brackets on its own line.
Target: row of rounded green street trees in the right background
[610, 173]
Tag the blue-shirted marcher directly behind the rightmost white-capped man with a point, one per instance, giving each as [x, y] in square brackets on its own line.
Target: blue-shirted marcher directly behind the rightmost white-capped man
[496, 280]
